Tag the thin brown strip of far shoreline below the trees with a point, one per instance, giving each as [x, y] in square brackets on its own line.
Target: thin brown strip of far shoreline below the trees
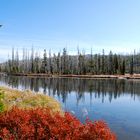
[42, 75]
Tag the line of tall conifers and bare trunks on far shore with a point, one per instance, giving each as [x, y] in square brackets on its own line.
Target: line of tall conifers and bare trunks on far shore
[63, 63]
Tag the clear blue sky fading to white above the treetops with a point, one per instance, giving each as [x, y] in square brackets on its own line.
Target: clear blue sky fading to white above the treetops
[55, 24]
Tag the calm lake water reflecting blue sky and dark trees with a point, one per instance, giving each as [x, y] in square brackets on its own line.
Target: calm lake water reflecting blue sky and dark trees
[115, 101]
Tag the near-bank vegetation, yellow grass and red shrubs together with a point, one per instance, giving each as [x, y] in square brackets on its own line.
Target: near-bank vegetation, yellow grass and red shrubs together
[27, 115]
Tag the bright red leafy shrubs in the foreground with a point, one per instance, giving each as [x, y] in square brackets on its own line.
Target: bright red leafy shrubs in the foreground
[40, 124]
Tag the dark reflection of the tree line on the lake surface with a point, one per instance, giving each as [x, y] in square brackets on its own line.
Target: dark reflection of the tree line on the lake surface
[99, 88]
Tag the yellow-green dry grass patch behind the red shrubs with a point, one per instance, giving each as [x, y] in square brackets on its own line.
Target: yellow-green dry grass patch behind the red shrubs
[27, 100]
